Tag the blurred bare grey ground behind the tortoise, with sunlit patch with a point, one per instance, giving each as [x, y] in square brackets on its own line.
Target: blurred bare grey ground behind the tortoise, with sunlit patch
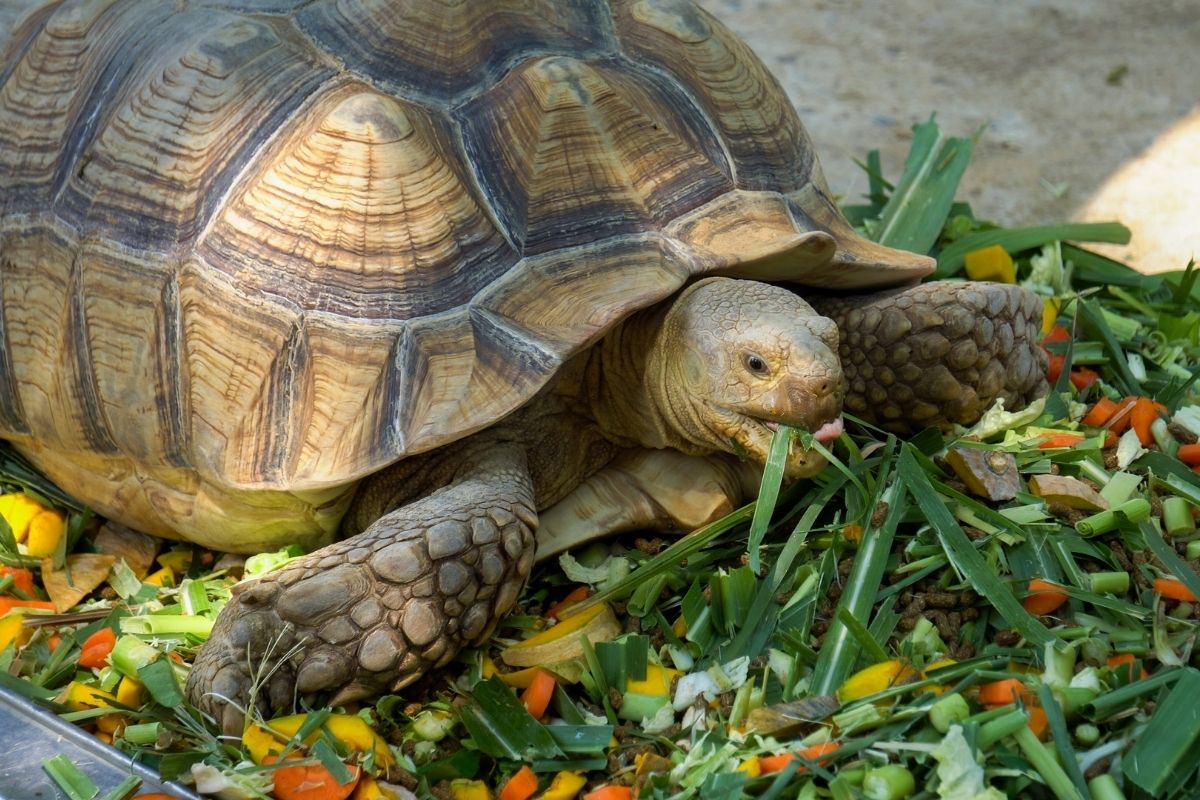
[1093, 106]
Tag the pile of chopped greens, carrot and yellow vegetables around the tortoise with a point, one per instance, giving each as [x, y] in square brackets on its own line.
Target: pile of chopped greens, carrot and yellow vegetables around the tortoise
[1007, 611]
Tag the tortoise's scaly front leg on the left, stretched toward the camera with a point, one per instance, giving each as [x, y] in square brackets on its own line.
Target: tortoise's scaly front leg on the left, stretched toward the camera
[376, 611]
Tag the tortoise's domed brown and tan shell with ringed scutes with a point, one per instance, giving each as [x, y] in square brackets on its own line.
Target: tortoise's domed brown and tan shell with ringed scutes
[278, 245]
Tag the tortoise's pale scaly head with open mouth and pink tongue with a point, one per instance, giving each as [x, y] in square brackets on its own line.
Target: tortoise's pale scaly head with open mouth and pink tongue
[737, 359]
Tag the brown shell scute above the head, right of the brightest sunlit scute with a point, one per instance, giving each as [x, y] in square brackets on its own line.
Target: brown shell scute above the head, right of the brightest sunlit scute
[579, 152]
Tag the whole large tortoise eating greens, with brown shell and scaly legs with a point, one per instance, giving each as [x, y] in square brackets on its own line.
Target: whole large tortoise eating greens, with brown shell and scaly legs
[394, 279]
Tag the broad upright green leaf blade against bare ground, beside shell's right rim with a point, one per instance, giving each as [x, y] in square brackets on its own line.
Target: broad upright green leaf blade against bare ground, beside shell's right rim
[916, 213]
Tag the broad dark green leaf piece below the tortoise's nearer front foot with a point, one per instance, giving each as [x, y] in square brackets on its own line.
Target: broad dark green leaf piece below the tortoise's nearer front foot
[501, 726]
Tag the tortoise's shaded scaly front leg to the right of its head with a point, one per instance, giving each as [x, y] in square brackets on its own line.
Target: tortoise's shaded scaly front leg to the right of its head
[939, 353]
